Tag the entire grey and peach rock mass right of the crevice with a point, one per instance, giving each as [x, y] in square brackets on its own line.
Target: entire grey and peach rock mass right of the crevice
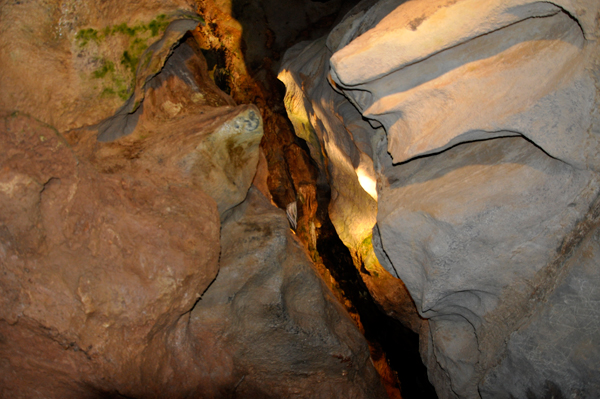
[484, 134]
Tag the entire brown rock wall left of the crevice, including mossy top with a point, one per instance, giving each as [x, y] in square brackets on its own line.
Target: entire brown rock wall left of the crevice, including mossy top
[116, 279]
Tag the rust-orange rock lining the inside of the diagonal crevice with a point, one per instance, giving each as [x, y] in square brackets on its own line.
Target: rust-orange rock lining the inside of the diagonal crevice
[244, 64]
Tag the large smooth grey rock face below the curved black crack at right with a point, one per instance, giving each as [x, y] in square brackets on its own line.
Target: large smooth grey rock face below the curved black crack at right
[466, 266]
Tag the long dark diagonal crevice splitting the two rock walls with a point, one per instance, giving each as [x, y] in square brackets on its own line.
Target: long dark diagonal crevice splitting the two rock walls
[295, 176]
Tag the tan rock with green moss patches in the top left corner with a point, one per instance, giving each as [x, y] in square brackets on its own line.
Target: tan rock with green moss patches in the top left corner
[72, 63]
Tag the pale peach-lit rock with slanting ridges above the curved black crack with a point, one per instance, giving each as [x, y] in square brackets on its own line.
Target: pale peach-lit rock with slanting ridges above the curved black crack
[438, 57]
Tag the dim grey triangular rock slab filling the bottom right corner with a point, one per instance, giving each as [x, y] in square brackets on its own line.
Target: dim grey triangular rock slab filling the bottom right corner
[558, 345]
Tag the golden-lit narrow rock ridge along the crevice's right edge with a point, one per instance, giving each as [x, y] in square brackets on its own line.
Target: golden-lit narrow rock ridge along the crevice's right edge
[343, 144]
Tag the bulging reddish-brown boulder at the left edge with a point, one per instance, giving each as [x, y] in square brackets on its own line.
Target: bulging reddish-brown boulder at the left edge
[91, 262]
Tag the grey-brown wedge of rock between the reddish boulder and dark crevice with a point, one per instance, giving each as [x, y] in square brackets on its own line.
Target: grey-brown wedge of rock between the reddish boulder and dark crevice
[279, 330]
